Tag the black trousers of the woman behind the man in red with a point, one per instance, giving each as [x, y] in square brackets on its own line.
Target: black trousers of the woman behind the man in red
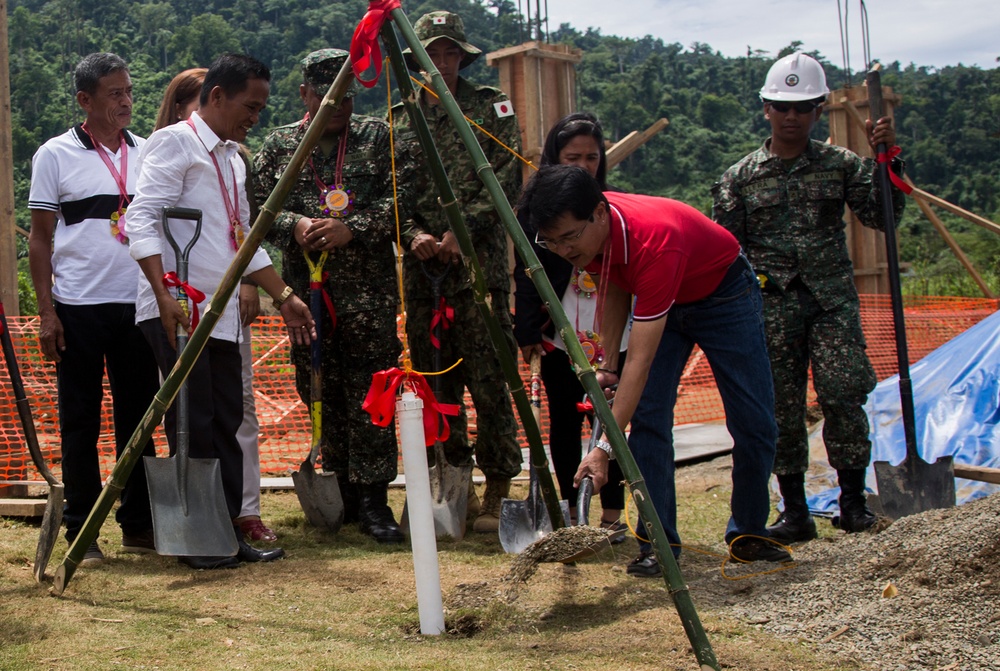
[564, 391]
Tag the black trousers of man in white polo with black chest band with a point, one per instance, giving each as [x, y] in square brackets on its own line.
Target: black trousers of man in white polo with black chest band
[98, 338]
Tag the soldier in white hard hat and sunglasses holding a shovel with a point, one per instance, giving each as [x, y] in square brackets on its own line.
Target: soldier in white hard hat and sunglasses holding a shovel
[785, 203]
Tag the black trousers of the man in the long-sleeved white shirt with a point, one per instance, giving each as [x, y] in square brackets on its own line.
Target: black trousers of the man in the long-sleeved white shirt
[215, 395]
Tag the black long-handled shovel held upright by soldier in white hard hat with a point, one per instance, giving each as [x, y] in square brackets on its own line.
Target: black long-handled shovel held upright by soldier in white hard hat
[914, 485]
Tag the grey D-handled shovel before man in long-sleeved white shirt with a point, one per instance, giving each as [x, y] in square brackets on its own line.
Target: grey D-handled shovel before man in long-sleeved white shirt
[190, 517]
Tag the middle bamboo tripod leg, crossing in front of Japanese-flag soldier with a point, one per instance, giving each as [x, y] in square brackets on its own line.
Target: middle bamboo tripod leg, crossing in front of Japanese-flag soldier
[508, 361]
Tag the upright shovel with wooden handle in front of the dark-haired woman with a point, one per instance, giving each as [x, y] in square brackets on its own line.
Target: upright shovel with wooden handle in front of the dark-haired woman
[524, 522]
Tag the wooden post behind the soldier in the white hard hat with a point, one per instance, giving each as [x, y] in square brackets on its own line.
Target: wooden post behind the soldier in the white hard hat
[865, 245]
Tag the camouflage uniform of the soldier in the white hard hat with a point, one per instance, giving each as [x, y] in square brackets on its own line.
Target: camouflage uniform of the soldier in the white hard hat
[789, 220]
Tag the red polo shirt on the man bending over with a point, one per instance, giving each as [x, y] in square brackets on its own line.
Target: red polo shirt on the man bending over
[663, 251]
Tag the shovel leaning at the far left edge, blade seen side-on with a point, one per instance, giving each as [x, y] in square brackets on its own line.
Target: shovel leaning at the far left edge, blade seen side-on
[52, 518]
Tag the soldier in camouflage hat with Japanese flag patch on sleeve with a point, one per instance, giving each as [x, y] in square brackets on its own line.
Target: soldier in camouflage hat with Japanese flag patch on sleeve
[431, 246]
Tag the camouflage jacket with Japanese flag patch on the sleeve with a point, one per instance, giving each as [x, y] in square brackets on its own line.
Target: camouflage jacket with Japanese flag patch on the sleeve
[485, 228]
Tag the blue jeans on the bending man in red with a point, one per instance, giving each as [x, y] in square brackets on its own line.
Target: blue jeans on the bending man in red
[729, 327]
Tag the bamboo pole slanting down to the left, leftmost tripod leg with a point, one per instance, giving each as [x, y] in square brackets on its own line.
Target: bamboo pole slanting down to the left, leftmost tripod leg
[199, 338]
